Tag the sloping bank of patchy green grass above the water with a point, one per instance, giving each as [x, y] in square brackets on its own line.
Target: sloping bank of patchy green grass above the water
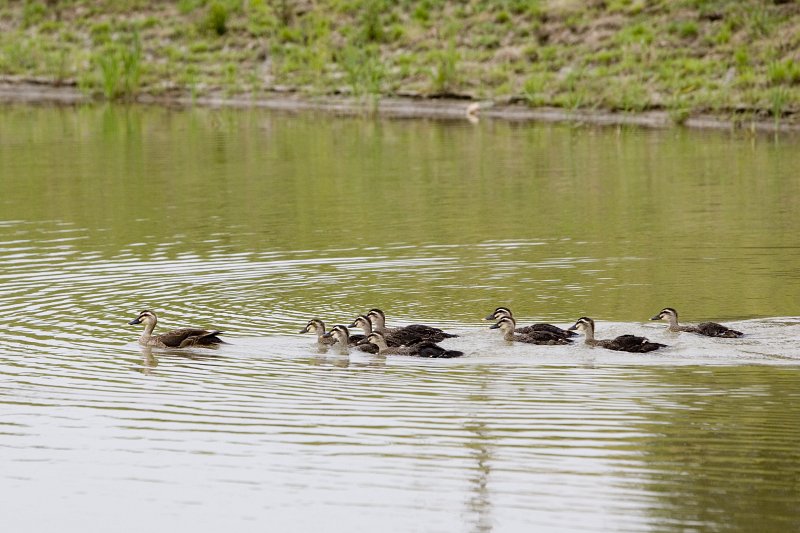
[725, 57]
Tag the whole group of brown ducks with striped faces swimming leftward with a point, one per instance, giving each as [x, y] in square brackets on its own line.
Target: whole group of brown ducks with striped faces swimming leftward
[420, 340]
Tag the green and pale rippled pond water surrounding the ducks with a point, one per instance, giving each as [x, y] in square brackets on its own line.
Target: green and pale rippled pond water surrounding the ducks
[253, 222]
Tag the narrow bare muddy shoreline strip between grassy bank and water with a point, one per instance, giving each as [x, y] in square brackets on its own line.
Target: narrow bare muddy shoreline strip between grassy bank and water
[36, 91]
